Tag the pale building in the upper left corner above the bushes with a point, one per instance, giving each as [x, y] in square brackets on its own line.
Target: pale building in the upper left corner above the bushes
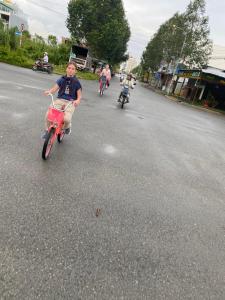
[12, 15]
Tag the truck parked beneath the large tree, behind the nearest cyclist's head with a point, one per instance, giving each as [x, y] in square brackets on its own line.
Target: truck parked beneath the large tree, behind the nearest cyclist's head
[80, 55]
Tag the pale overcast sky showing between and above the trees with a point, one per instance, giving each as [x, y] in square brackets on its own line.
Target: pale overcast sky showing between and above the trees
[144, 16]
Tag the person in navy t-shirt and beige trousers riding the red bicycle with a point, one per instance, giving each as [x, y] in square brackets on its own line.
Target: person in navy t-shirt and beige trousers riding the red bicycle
[69, 89]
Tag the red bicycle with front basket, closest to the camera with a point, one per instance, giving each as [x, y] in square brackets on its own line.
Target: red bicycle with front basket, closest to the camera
[55, 130]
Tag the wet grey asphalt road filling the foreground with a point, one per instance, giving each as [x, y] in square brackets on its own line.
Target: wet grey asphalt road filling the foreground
[156, 170]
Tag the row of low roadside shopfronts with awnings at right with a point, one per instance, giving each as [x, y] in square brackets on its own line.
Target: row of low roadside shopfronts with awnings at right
[204, 86]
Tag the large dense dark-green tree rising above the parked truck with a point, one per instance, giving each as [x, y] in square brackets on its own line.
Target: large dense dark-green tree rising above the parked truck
[102, 24]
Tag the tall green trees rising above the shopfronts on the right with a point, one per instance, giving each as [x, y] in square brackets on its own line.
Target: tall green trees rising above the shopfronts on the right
[184, 38]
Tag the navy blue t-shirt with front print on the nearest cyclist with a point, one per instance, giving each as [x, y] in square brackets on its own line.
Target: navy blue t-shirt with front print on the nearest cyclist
[68, 87]
